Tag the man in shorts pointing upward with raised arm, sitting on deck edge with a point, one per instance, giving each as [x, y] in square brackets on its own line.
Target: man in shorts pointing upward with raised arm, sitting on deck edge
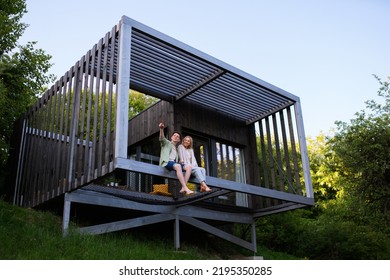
[170, 160]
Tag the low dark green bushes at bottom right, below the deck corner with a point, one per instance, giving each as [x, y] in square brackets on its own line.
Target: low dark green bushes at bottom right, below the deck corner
[330, 236]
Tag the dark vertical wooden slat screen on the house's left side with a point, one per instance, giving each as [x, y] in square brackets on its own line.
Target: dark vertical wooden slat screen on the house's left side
[69, 133]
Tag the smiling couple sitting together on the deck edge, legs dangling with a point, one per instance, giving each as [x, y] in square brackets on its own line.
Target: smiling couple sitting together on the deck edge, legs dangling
[180, 157]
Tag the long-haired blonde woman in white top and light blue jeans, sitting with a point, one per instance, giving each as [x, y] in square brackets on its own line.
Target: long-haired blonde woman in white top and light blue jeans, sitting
[187, 157]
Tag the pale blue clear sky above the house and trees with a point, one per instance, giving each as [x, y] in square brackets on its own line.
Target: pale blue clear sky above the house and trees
[323, 51]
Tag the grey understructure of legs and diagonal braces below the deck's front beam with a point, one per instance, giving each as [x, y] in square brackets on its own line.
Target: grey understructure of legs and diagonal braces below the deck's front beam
[160, 209]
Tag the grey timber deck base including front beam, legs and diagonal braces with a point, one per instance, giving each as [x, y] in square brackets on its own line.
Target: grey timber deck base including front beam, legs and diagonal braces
[194, 209]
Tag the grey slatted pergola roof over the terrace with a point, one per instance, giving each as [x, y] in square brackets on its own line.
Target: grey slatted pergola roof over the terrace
[171, 70]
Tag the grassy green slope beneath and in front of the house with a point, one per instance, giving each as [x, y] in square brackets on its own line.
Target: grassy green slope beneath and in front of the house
[28, 234]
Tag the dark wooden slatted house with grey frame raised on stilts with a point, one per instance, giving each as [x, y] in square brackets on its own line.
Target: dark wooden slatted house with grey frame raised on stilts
[77, 142]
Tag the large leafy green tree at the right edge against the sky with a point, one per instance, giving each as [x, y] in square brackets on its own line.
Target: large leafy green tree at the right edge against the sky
[361, 152]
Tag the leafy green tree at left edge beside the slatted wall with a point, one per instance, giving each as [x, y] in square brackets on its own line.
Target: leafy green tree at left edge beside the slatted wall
[23, 72]
